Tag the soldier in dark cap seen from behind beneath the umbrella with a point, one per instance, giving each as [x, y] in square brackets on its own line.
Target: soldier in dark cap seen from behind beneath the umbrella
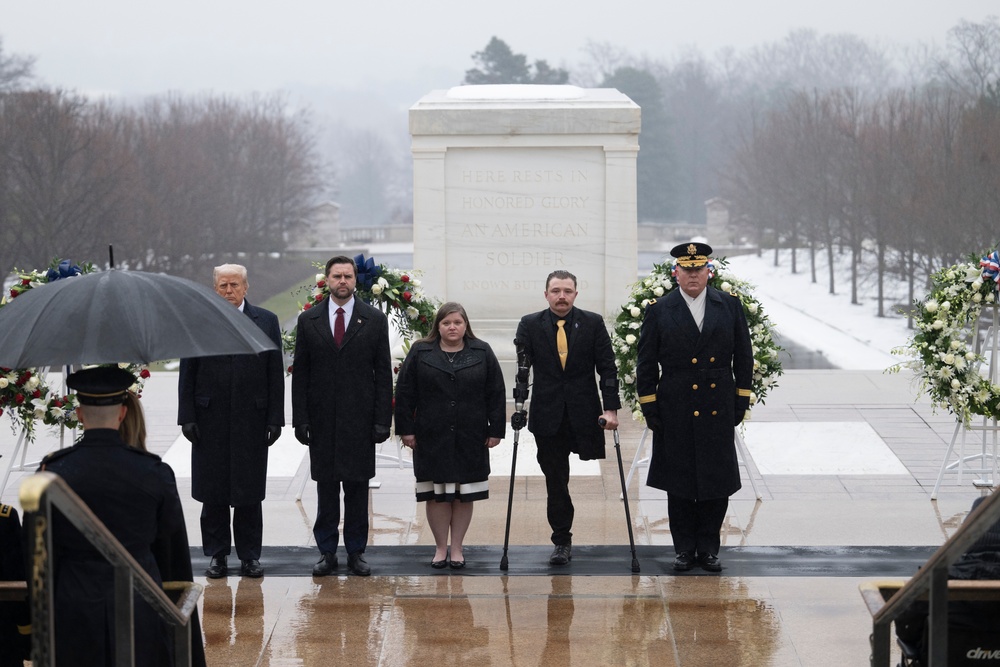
[135, 495]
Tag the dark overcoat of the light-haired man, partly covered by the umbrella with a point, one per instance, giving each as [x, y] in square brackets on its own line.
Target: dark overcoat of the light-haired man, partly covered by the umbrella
[232, 399]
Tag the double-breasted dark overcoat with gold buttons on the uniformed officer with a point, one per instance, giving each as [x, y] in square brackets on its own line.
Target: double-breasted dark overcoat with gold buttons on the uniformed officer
[695, 376]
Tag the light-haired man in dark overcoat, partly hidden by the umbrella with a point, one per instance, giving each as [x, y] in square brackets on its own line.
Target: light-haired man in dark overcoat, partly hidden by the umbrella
[232, 409]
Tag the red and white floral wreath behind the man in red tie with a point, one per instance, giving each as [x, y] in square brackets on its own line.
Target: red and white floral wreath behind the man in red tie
[395, 292]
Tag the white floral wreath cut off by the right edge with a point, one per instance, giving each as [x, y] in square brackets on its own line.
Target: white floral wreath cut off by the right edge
[947, 367]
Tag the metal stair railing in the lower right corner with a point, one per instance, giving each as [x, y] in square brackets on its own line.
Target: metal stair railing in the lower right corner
[931, 583]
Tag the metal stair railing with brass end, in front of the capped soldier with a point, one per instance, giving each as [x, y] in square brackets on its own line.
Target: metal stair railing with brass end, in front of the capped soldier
[38, 495]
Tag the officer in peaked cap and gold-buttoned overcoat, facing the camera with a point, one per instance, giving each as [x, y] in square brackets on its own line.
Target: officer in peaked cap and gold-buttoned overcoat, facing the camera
[693, 377]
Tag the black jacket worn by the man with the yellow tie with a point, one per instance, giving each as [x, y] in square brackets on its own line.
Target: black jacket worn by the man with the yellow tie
[575, 389]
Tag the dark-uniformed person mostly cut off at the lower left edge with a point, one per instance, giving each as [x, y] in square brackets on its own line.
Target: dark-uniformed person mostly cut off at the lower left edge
[15, 618]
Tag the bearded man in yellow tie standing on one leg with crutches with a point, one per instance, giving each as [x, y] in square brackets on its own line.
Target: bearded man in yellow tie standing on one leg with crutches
[566, 347]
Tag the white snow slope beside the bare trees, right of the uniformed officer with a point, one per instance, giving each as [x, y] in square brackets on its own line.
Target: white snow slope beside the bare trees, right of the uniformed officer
[850, 336]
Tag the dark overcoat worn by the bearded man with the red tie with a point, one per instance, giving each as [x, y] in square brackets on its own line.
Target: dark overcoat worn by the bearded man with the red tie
[342, 393]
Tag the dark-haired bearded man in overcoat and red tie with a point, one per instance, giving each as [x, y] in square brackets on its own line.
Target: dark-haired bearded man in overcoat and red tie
[341, 408]
